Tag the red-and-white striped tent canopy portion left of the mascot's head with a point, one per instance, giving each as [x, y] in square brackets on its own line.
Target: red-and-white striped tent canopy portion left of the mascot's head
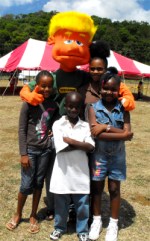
[31, 55]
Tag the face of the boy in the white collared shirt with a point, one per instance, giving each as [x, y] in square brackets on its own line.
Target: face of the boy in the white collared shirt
[73, 107]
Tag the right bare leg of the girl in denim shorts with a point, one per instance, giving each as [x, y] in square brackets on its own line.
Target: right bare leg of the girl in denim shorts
[114, 190]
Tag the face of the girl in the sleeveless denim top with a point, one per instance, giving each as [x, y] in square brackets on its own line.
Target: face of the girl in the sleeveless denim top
[110, 90]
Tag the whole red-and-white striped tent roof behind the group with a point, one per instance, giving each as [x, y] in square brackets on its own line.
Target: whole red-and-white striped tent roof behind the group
[36, 55]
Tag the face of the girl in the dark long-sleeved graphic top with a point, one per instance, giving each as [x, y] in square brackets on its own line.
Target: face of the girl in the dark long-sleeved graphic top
[45, 86]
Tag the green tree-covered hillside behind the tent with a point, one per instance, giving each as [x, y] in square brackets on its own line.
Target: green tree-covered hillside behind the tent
[129, 38]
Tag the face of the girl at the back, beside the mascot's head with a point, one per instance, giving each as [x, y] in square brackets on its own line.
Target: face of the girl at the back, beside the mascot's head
[97, 68]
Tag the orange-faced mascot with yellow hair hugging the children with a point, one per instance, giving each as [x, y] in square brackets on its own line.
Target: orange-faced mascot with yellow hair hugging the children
[71, 35]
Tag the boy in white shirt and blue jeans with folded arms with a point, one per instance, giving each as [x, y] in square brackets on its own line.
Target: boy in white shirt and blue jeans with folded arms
[70, 176]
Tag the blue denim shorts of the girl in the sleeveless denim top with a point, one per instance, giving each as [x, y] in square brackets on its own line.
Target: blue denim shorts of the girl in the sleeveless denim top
[108, 159]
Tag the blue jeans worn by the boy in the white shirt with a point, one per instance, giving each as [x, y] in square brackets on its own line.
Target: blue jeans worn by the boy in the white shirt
[81, 202]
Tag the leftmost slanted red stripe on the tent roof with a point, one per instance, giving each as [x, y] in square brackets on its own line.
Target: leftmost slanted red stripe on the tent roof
[15, 57]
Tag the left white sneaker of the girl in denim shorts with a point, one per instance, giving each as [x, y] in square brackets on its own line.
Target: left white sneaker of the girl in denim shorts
[95, 229]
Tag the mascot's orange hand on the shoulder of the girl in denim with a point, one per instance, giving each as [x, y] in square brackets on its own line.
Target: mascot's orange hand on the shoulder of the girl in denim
[126, 97]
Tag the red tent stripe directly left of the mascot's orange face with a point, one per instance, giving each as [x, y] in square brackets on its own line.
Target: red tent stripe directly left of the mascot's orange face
[47, 62]
